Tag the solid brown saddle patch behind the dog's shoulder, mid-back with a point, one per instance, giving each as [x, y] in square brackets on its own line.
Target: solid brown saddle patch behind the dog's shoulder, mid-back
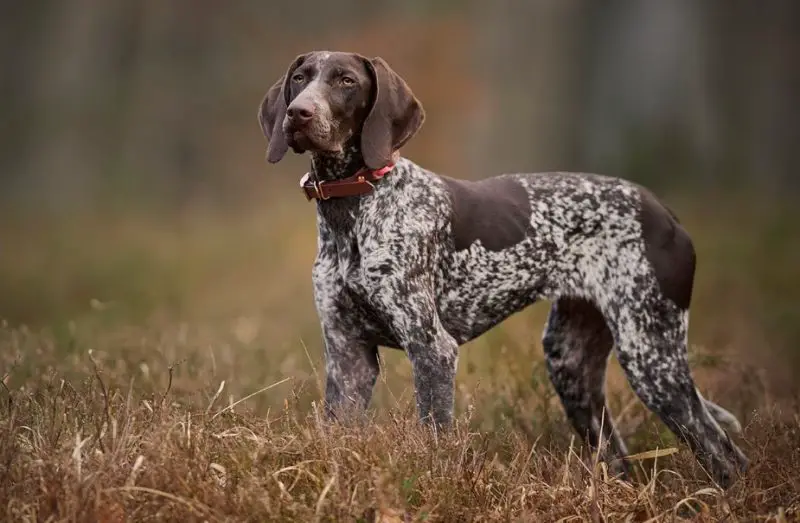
[495, 211]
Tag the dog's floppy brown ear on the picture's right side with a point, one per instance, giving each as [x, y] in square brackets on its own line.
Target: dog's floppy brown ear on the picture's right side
[396, 115]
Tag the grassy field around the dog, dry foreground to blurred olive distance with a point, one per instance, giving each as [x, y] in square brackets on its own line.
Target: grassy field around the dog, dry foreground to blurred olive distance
[156, 372]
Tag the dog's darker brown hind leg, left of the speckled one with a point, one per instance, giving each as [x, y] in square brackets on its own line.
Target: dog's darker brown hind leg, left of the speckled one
[577, 344]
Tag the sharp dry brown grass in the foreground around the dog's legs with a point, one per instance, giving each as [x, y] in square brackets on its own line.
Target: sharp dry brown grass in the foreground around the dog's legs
[113, 442]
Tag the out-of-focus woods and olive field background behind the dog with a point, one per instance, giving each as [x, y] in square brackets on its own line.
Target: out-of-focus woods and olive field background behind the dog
[133, 184]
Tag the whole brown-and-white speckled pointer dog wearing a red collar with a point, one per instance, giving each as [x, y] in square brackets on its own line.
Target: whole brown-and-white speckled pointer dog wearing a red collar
[413, 260]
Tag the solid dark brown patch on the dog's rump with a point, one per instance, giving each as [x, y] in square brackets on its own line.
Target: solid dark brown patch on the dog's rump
[668, 248]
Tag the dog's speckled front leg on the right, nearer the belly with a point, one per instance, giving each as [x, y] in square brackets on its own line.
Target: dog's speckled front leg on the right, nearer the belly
[409, 306]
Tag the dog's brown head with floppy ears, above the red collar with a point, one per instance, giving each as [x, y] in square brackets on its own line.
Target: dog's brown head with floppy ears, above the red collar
[326, 99]
